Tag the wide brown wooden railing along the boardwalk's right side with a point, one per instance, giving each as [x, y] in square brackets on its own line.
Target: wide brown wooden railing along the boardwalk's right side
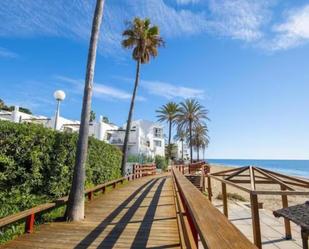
[199, 219]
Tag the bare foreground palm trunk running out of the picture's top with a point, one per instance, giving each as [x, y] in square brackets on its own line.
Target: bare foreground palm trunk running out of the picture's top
[75, 207]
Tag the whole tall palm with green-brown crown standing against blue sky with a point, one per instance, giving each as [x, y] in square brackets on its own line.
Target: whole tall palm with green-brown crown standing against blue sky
[144, 39]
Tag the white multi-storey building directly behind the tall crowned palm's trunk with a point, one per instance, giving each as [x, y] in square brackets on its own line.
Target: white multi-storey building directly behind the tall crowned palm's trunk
[146, 138]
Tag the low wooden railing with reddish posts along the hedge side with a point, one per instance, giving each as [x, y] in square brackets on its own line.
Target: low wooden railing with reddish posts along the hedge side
[29, 214]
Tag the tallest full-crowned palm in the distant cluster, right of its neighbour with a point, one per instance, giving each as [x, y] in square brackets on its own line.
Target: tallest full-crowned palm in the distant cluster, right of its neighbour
[191, 114]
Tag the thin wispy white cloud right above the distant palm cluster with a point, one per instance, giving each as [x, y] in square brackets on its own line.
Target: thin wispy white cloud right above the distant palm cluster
[170, 91]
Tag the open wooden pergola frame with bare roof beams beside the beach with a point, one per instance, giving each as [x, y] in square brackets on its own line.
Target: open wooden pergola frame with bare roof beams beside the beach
[247, 178]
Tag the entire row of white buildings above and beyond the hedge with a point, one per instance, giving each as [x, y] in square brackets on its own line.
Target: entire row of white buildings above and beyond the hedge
[146, 137]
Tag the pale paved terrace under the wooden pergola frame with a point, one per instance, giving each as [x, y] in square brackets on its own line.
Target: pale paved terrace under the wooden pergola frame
[272, 228]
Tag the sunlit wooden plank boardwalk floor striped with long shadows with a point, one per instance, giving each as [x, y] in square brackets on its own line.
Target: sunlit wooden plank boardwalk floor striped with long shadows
[140, 214]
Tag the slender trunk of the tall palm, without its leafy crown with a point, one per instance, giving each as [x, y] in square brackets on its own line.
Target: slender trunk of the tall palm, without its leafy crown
[128, 128]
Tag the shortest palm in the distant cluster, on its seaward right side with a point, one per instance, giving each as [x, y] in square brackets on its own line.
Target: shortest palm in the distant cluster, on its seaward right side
[200, 138]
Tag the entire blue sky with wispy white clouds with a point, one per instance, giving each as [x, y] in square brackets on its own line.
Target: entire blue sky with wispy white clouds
[246, 61]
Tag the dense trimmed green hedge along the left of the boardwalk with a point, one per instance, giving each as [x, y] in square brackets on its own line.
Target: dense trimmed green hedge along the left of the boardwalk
[36, 165]
